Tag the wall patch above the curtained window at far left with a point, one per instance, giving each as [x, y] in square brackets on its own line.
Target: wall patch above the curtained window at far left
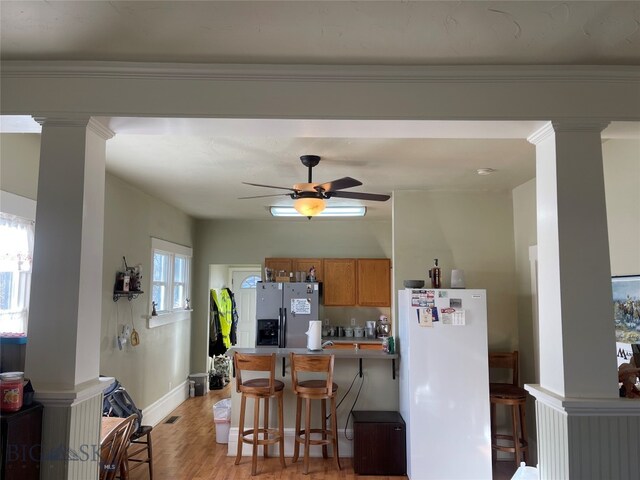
[19, 161]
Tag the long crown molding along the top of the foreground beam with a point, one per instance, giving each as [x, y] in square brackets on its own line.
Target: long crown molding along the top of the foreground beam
[340, 73]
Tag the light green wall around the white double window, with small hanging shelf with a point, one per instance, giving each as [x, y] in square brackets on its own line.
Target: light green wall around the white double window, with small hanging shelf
[161, 361]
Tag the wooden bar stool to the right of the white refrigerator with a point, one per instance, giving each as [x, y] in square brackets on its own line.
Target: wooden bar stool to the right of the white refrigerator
[515, 397]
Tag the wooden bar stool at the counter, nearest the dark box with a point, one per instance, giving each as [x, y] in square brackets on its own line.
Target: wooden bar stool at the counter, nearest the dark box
[314, 390]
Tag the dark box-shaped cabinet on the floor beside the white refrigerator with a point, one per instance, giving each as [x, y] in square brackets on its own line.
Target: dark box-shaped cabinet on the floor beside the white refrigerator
[379, 443]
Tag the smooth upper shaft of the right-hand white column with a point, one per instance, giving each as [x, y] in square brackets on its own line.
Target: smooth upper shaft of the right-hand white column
[577, 351]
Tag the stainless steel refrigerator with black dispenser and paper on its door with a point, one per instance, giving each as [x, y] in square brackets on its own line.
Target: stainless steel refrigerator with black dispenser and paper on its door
[283, 312]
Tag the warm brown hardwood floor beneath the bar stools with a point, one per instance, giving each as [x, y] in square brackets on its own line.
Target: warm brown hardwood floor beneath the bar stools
[187, 450]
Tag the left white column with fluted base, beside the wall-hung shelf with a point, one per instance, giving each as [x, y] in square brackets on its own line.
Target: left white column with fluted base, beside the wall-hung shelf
[63, 351]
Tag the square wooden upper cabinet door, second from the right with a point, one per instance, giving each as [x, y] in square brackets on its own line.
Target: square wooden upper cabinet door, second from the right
[339, 281]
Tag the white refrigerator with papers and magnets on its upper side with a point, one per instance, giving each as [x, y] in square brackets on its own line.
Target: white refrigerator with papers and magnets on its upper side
[444, 383]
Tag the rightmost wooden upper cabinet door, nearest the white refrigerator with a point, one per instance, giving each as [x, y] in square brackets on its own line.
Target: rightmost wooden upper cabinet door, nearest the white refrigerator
[374, 282]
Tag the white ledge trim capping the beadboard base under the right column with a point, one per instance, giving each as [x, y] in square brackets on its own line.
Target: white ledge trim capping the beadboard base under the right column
[585, 406]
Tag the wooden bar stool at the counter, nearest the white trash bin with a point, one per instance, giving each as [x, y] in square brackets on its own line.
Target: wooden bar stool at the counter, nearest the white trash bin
[257, 389]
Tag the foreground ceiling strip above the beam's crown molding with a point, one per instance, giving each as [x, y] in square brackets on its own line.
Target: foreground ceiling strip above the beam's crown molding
[321, 32]
